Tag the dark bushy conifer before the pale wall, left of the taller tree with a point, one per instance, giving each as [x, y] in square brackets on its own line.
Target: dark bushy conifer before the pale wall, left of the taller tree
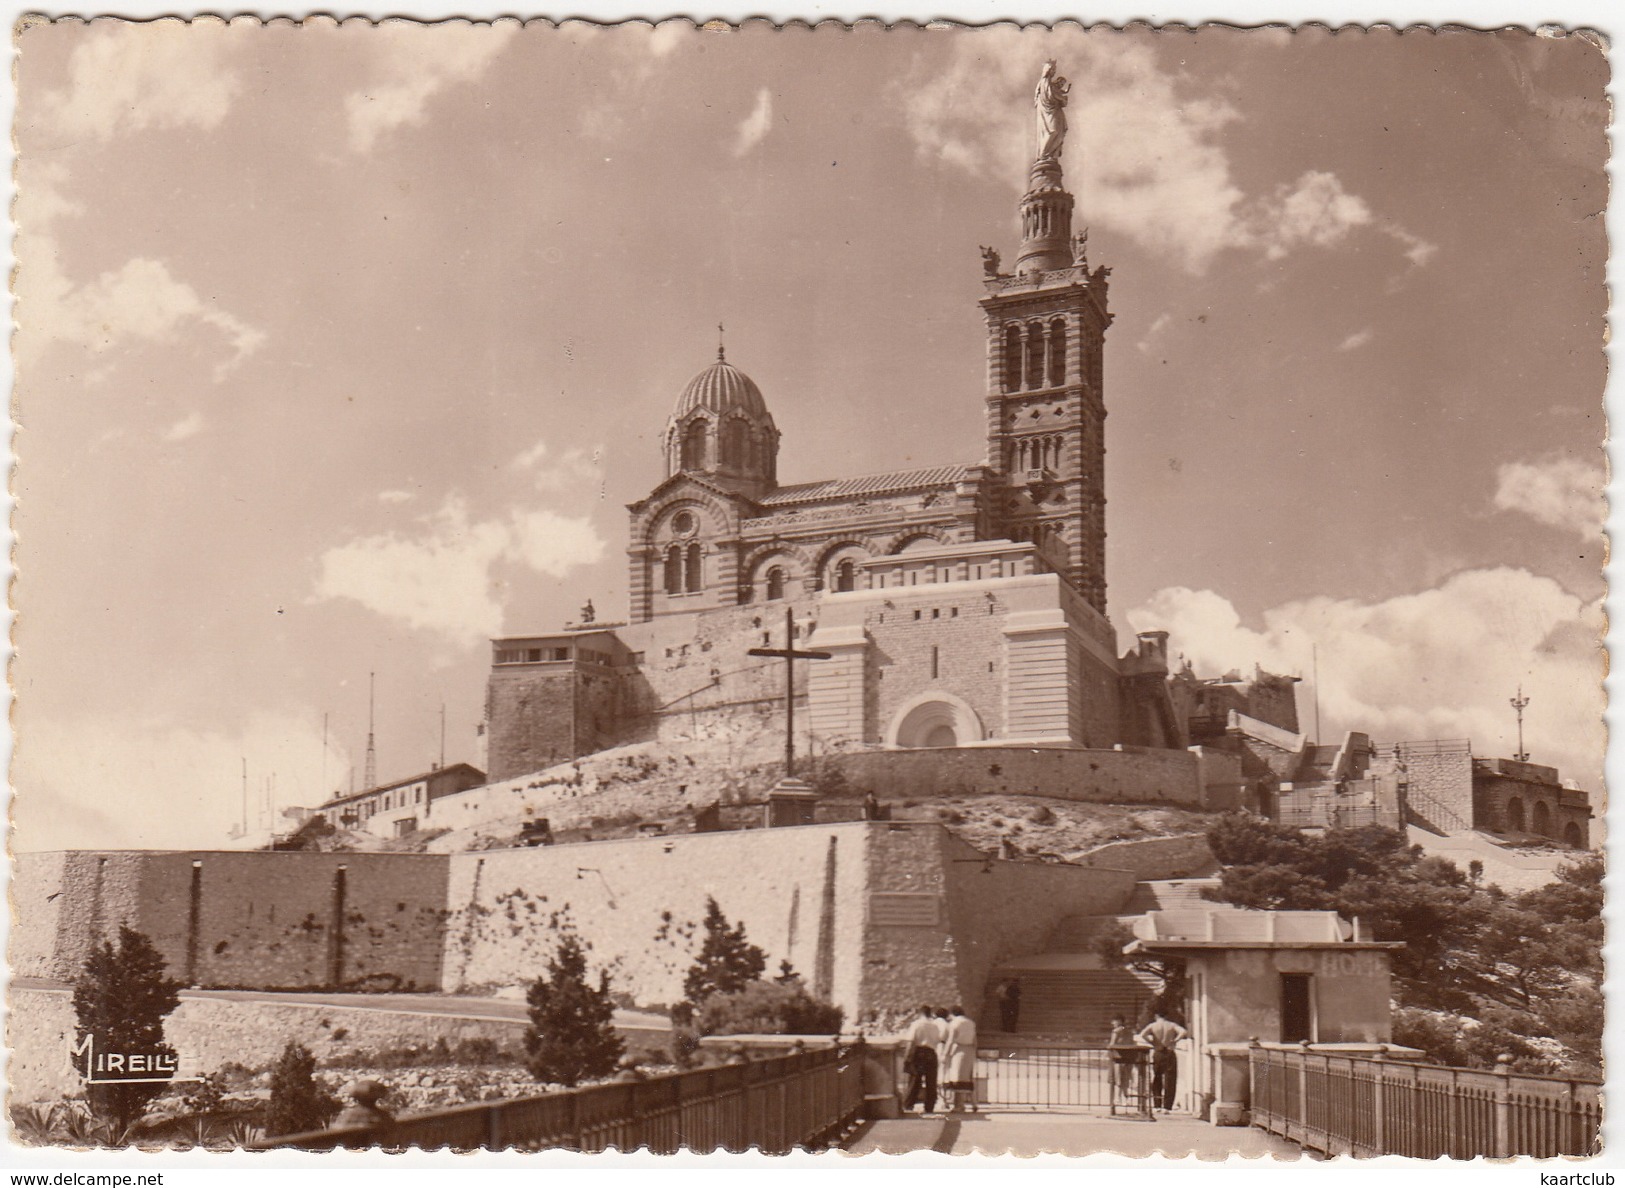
[571, 1034]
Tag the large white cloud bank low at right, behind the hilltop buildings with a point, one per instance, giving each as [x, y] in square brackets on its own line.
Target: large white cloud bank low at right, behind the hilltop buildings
[1439, 664]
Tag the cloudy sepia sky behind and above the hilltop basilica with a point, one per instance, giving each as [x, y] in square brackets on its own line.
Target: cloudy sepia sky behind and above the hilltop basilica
[344, 349]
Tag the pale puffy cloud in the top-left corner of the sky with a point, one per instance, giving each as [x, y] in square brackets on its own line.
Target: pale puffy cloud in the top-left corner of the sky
[132, 77]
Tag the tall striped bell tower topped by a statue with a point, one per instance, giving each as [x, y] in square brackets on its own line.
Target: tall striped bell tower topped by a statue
[1047, 326]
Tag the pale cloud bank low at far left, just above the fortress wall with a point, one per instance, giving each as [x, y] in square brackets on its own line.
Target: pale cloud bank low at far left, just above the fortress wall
[180, 786]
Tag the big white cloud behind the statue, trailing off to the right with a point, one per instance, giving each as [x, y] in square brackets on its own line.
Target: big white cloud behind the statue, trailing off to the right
[1151, 162]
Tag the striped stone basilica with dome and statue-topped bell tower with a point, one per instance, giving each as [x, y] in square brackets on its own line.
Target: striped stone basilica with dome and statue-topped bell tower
[960, 605]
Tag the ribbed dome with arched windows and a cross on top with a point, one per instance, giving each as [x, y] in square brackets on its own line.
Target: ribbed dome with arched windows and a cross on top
[722, 428]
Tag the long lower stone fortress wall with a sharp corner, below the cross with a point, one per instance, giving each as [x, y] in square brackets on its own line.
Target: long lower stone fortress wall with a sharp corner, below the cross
[873, 916]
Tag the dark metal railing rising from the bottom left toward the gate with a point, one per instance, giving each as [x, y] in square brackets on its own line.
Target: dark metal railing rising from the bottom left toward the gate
[779, 1104]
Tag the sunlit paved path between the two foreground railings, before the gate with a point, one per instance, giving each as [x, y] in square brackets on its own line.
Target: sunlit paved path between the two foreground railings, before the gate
[1067, 1134]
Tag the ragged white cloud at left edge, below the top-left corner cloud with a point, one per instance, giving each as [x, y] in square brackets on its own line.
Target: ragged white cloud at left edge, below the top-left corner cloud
[136, 303]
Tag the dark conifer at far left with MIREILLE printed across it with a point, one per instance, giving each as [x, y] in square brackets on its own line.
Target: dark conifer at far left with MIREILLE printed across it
[123, 999]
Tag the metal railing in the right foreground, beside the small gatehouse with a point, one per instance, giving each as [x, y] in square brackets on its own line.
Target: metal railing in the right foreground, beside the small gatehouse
[1356, 1106]
